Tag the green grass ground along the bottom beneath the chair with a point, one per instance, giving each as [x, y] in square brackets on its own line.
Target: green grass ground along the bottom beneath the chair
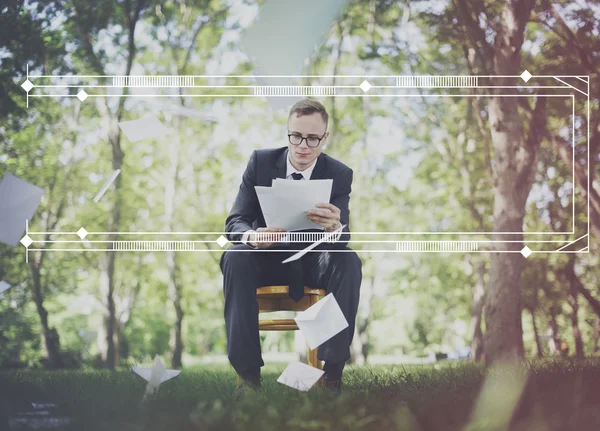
[555, 396]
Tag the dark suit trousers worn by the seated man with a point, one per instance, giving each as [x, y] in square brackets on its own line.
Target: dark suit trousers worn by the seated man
[245, 269]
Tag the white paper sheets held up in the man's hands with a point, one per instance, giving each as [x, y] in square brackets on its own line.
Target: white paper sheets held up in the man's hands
[287, 203]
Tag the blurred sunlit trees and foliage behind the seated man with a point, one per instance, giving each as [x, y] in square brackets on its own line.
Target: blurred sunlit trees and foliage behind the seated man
[420, 165]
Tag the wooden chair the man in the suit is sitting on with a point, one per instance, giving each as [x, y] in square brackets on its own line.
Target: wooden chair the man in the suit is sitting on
[276, 298]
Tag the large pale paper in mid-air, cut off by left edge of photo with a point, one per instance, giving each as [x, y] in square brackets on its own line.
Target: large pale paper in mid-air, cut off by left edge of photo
[18, 202]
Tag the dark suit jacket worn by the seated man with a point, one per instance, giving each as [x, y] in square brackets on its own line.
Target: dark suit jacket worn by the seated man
[266, 165]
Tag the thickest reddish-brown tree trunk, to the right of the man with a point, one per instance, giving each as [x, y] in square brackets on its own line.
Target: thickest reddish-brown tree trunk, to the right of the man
[515, 160]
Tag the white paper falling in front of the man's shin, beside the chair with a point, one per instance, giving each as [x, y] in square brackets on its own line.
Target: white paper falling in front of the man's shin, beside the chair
[321, 321]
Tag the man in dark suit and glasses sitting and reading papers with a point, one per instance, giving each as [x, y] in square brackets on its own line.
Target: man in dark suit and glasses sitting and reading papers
[245, 267]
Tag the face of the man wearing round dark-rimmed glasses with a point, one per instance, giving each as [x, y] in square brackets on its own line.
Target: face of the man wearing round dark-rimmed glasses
[307, 126]
